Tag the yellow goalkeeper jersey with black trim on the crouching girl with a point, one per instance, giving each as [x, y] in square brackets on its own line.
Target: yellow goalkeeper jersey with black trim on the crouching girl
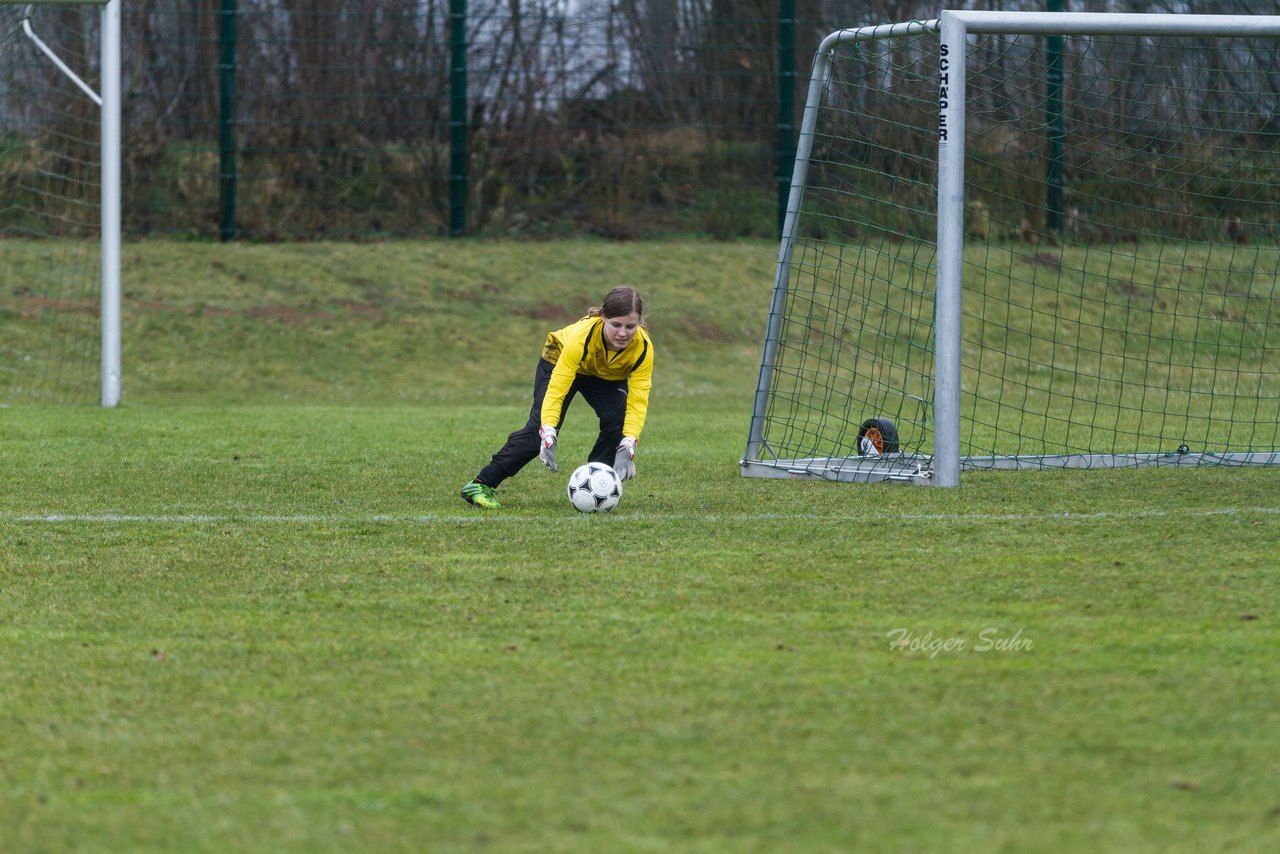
[579, 350]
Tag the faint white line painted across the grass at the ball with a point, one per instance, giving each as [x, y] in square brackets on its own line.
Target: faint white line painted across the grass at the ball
[499, 518]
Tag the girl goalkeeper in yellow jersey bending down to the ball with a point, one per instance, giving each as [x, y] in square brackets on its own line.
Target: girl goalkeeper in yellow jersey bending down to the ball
[607, 358]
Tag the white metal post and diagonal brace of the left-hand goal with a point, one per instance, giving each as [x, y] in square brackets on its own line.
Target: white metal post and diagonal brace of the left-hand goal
[108, 101]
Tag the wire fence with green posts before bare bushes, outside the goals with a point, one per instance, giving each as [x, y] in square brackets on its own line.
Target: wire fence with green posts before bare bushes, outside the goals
[282, 120]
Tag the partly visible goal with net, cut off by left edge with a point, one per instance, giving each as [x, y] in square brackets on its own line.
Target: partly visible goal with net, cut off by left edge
[60, 203]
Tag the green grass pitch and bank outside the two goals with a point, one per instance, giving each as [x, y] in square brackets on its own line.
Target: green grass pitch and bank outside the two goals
[248, 611]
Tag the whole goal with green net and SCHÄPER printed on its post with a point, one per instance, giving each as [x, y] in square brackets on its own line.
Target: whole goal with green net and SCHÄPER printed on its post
[1026, 241]
